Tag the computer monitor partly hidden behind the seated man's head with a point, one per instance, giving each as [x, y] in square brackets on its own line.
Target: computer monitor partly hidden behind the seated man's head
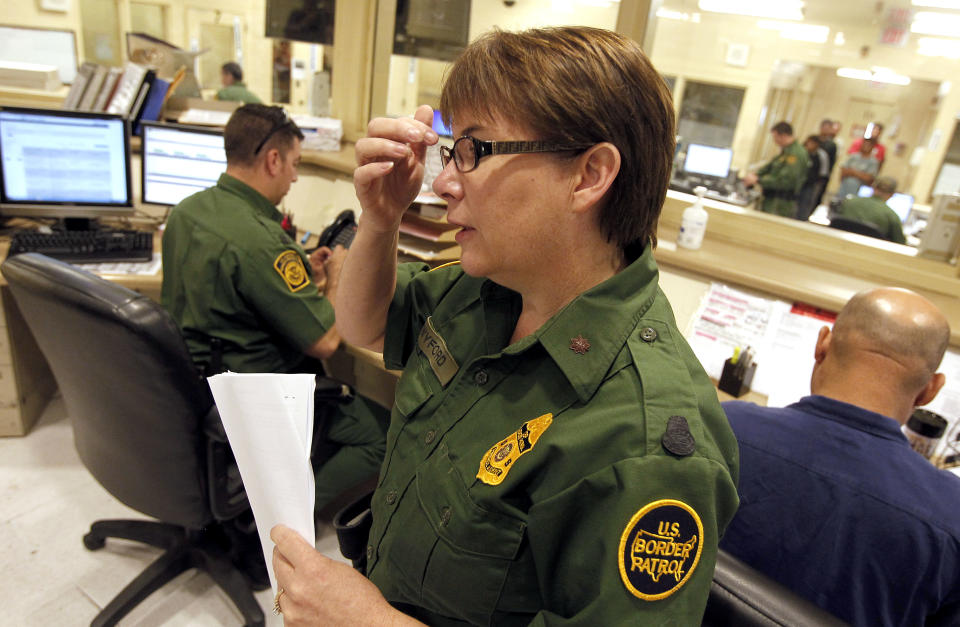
[179, 161]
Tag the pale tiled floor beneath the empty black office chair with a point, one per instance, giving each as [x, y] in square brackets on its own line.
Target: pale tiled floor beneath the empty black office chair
[47, 502]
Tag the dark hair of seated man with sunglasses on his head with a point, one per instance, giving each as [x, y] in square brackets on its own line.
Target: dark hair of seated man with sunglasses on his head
[250, 125]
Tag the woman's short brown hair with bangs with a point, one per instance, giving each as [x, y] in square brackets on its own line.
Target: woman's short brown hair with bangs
[578, 85]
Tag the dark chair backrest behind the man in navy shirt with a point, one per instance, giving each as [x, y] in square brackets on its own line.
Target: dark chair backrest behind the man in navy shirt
[741, 596]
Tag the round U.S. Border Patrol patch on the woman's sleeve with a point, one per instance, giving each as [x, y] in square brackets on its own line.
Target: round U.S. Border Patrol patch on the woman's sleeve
[660, 549]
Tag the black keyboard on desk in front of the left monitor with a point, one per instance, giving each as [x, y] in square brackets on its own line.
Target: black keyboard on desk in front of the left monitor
[86, 246]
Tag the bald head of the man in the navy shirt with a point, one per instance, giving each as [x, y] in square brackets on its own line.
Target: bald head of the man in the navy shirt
[898, 325]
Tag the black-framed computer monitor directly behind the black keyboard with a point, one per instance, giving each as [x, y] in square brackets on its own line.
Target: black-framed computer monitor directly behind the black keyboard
[64, 164]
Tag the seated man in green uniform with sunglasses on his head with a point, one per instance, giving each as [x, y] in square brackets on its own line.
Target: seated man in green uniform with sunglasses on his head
[232, 277]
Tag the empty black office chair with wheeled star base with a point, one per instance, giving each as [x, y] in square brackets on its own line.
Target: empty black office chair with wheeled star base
[144, 425]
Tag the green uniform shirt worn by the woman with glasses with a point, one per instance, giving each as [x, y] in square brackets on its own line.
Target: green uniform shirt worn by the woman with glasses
[529, 483]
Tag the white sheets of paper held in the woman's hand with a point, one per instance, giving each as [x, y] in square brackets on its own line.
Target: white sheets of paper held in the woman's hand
[268, 419]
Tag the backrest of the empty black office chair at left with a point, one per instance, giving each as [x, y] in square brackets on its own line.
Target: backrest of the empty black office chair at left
[133, 395]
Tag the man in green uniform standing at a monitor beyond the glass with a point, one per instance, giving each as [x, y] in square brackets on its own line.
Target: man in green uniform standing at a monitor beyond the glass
[782, 178]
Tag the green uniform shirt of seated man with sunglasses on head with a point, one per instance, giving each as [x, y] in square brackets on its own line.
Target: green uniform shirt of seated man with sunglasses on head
[231, 272]
